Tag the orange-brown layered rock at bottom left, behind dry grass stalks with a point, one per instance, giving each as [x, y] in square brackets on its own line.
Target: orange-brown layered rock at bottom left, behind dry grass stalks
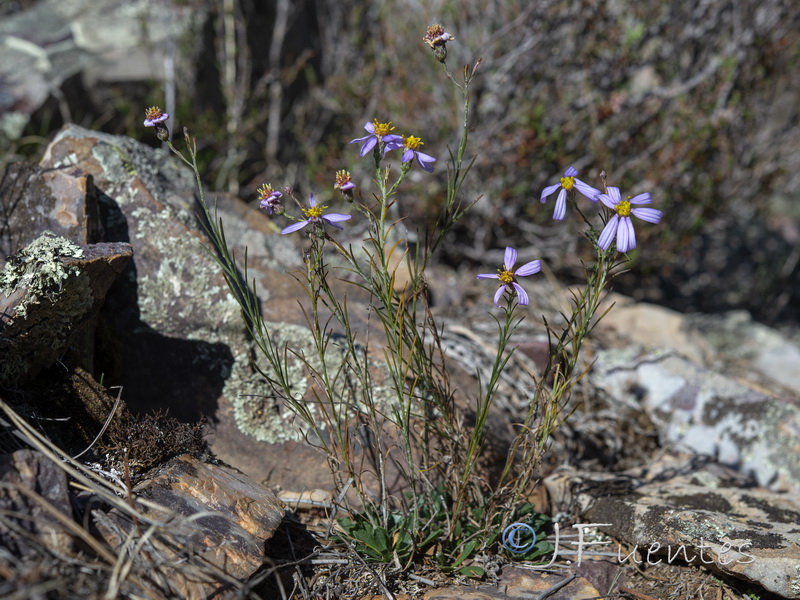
[214, 516]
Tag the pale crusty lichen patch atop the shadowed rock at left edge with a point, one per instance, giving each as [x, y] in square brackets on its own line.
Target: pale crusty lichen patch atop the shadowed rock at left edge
[38, 270]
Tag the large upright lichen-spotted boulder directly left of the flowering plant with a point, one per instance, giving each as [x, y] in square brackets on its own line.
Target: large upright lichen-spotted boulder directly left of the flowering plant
[185, 347]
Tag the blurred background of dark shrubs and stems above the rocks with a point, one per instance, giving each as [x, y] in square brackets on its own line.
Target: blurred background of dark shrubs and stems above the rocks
[695, 102]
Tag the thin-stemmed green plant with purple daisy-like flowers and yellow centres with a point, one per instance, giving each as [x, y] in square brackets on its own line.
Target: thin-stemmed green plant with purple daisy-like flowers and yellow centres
[376, 419]
